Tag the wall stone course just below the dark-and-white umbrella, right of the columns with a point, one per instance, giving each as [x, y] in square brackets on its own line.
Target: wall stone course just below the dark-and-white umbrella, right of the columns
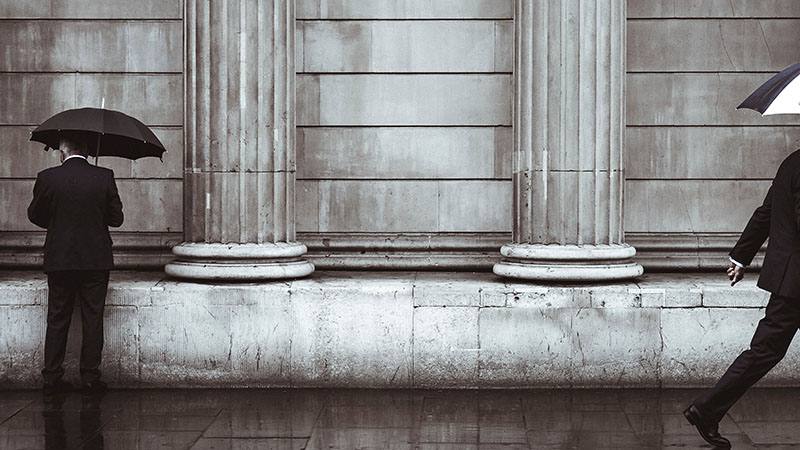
[708, 152]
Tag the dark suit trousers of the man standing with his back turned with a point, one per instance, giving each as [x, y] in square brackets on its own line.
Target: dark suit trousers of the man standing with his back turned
[64, 287]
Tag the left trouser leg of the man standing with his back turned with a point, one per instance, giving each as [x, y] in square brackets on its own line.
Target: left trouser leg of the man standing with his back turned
[60, 303]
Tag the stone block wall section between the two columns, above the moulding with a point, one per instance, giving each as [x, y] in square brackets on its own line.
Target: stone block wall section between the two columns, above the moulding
[404, 113]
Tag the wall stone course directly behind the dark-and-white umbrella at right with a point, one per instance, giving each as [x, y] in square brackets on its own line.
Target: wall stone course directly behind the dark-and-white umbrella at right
[688, 99]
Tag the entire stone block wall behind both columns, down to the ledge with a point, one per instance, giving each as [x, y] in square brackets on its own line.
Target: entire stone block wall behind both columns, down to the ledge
[404, 112]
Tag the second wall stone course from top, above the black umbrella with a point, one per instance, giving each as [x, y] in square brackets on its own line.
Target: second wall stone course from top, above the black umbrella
[91, 46]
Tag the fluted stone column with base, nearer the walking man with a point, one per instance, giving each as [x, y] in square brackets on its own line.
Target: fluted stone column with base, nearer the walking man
[569, 135]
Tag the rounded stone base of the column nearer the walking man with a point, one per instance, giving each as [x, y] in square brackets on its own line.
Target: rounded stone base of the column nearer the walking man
[568, 262]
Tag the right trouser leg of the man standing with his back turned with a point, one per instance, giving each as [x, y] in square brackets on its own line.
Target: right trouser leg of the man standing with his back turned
[92, 293]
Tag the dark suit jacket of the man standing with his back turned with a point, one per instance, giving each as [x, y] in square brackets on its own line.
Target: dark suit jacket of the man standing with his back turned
[76, 202]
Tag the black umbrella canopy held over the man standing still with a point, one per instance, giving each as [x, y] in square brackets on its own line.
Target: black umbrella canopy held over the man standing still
[119, 134]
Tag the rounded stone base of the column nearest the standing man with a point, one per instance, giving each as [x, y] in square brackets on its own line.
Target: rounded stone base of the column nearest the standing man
[239, 261]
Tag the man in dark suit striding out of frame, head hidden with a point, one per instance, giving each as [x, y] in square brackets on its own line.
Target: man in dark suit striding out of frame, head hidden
[779, 219]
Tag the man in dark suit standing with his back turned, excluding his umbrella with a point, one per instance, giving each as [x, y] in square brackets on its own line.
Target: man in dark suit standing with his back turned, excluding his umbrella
[76, 202]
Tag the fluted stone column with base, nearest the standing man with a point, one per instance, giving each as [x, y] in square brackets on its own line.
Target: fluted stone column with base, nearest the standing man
[239, 179]
